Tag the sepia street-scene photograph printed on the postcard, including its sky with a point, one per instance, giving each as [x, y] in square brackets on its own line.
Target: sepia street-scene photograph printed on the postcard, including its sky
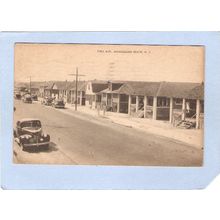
[108, 104]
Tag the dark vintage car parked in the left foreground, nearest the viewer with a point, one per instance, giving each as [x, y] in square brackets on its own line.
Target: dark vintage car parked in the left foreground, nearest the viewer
[29, 135]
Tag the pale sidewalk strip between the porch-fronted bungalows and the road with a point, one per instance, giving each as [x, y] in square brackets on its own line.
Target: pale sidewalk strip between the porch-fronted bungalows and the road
[192, 137]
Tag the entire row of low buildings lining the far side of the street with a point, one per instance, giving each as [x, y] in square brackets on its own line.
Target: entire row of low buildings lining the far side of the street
[168, 101]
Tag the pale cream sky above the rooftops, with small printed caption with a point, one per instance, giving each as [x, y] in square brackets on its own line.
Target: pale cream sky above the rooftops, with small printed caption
[46, 62]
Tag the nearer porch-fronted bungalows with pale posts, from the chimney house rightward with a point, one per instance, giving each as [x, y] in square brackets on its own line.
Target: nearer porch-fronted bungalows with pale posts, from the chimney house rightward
[168, 101]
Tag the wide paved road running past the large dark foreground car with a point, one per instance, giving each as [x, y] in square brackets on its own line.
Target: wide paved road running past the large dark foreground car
[77, 138]
